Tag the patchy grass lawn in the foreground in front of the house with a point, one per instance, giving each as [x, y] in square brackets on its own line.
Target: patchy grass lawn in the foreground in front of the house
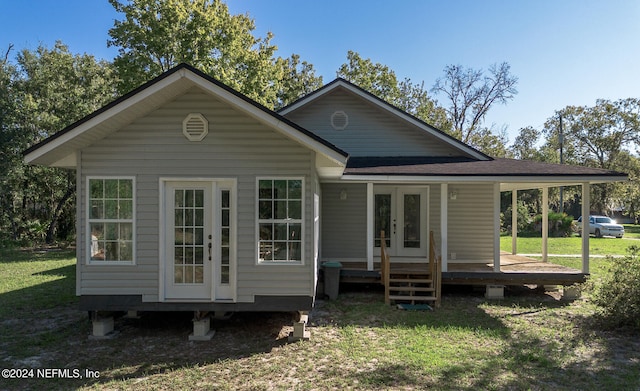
[531, 340]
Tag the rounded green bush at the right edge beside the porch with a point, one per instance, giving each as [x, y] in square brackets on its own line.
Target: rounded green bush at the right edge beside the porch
[617, 293]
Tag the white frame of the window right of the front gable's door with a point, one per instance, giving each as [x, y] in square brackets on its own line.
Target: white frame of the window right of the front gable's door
[302, 221]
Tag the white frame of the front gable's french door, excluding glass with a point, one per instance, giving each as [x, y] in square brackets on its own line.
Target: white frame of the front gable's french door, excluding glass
[216, 289]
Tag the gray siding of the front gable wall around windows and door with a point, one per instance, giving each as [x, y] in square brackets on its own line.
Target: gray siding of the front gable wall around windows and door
[237, 147]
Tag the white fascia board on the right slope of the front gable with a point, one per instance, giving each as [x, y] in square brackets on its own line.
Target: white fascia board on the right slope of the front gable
[268, 119]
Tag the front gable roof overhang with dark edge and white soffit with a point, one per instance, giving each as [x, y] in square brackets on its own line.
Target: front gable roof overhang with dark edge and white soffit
[59, 149]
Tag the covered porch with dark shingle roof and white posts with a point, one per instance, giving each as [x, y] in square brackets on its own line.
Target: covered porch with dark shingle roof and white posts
[462, 208]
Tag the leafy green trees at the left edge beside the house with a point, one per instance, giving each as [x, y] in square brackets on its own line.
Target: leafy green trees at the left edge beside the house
[49, 89]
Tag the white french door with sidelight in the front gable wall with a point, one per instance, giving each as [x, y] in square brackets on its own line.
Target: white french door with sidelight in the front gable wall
[199, 238]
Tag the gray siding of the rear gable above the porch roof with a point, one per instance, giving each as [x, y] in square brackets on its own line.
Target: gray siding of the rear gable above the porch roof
[371, 131]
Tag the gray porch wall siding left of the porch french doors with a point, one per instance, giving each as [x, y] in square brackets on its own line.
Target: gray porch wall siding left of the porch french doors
[344, 222]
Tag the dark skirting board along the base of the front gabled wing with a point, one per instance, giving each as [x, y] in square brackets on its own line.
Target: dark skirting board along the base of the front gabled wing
[135, 303]
